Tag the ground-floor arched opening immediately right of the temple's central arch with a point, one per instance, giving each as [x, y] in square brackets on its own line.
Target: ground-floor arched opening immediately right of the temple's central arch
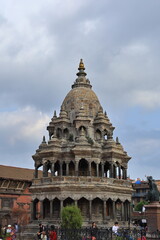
[97, 209]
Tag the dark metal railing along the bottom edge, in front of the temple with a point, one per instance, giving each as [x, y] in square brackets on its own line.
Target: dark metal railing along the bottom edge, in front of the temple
[99, 234]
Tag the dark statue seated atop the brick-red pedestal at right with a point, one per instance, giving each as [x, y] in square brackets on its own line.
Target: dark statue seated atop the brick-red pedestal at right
[153, 193]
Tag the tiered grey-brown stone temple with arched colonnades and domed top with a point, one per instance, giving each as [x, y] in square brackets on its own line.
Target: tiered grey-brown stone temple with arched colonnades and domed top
[82, 163]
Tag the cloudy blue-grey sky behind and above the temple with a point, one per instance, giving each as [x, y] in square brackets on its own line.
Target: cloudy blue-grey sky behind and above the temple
[41, 43]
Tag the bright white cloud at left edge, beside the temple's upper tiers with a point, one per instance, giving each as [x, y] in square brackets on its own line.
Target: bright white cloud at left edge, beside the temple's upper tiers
[21, 124]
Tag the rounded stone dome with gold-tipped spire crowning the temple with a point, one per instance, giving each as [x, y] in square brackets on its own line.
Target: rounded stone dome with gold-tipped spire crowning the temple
[81, 97]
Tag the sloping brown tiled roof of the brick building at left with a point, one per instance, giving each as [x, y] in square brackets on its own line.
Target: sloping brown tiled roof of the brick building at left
[16, 173]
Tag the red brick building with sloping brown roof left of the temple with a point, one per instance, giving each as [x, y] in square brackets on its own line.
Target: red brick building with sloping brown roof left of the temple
[14, 192]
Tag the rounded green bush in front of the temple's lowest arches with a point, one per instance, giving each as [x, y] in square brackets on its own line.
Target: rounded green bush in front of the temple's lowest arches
[71, 217]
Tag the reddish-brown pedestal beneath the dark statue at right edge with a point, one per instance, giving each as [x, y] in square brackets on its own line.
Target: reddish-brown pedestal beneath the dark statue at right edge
[153, 216]
